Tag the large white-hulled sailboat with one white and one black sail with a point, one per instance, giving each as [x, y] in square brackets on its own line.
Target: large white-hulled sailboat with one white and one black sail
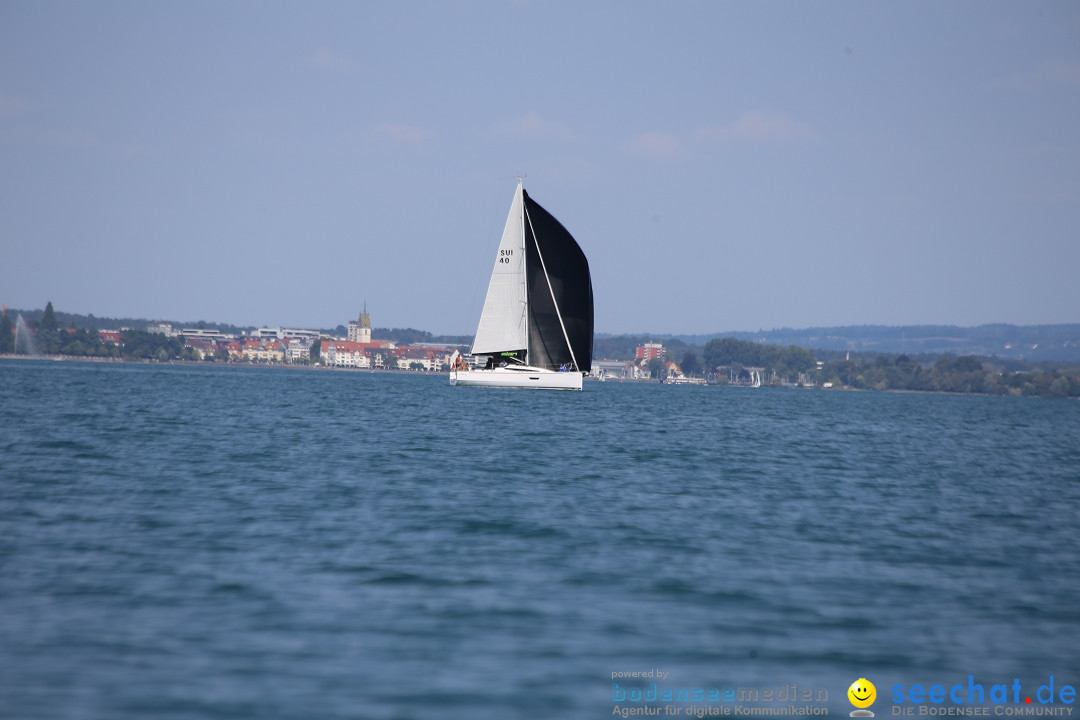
[536, 330]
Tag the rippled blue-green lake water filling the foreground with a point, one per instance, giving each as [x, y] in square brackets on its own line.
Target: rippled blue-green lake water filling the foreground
[240, 542]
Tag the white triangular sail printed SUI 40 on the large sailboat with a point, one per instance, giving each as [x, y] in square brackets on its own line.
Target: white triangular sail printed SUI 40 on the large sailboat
[503, 323]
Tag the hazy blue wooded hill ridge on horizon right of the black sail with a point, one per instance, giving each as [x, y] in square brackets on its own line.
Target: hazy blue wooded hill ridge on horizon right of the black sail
[1030, 343]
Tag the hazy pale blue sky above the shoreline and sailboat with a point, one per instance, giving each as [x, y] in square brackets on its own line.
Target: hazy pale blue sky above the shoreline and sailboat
[724, 166]
